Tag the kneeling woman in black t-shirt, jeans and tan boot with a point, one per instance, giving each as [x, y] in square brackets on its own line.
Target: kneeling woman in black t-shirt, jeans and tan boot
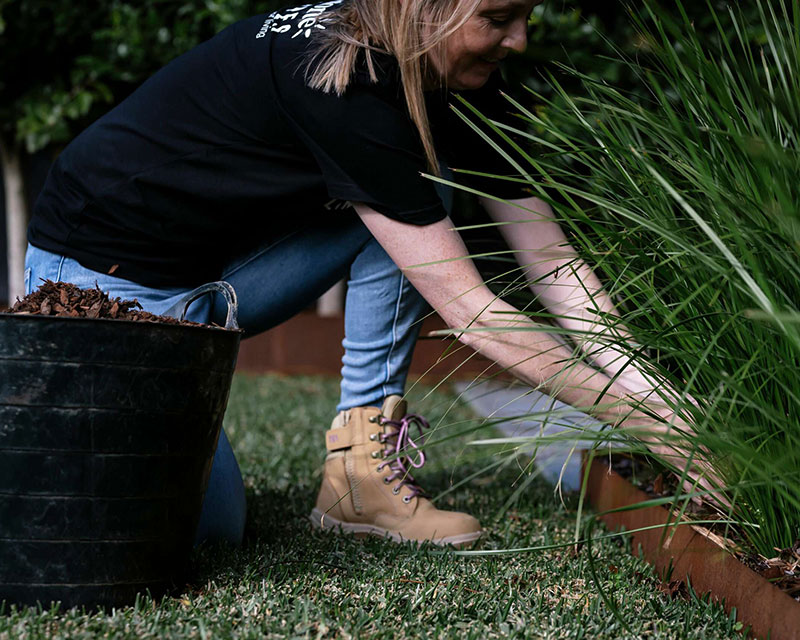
[285, 154]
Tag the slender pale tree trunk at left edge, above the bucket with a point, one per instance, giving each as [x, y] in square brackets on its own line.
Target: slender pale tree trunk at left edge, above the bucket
[16, 217]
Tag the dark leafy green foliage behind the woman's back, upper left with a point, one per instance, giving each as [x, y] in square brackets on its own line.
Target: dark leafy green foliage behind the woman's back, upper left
[61, 66]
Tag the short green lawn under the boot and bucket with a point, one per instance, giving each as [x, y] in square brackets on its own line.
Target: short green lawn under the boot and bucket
[291, 581]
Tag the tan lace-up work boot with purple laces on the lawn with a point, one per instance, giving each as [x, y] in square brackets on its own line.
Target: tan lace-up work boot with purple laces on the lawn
[367, 487]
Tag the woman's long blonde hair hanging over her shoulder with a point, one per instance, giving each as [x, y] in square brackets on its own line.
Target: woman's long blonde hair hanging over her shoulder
[410, 30]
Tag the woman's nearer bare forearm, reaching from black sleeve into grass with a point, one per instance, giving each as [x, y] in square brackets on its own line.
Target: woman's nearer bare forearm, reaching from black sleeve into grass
[434, 259]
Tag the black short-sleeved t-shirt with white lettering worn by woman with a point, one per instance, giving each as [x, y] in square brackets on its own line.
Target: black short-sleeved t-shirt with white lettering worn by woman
[227, 147]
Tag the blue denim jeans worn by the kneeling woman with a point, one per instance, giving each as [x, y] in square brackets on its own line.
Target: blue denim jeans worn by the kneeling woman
[273, 283]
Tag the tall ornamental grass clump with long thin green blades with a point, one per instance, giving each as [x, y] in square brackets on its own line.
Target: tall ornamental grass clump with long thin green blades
[683, 194]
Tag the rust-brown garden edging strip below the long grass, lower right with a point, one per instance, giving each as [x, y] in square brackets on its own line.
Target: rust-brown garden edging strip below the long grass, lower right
[766, 609]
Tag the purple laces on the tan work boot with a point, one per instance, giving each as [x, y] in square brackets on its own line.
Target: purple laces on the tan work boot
[399, 443]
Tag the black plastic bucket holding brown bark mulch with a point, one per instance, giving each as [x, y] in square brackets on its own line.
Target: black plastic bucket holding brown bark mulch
[107, 434]
